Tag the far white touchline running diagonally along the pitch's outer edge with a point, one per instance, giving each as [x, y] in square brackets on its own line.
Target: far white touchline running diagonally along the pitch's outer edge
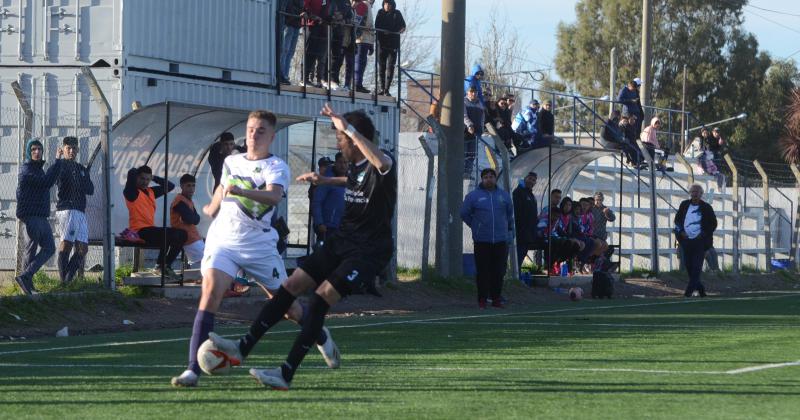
[411, 321]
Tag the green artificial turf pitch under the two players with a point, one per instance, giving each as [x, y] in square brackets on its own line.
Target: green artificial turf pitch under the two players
[654, 358]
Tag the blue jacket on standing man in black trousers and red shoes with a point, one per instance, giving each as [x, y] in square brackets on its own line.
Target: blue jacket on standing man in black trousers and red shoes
[490, 215]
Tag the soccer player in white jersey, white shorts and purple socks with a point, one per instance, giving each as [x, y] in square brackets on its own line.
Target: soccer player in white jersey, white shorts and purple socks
[241, 237]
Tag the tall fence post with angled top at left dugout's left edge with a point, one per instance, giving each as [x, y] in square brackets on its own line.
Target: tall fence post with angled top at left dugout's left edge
[108, 168]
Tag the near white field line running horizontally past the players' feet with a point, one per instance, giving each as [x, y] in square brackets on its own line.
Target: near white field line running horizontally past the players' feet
[373, 367]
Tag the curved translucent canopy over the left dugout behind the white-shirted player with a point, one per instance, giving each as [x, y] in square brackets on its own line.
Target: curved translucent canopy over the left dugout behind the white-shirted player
[140, 138]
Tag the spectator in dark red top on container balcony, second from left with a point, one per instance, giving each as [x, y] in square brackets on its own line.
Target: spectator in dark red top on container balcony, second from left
[317, 42]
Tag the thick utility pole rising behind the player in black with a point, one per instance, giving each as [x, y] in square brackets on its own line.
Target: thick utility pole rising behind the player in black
[450, 189]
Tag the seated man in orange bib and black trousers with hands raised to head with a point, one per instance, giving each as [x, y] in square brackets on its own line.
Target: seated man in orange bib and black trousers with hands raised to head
[140, 198]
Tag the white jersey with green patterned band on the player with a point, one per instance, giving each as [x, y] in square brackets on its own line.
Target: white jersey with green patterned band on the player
[241, 218]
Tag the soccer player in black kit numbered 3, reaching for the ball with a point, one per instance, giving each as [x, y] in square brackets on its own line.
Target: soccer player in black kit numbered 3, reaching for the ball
[355, 253]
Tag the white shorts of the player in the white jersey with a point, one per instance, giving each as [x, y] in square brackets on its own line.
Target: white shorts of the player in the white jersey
[261, 263]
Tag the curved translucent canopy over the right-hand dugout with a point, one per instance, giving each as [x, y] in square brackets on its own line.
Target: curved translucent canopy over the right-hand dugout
[561, 163]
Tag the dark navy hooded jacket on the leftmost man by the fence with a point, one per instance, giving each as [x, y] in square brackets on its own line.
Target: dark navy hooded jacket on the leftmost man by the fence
[33, 188]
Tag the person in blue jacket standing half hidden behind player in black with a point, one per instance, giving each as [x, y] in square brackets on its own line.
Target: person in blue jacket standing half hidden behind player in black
[327, 205]
